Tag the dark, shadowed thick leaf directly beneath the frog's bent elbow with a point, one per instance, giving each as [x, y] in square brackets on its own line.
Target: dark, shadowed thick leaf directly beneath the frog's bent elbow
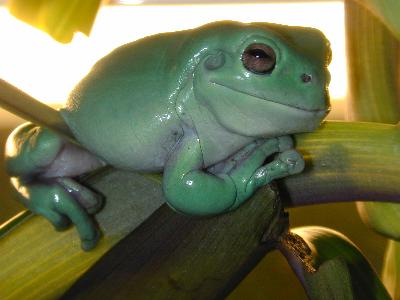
[173, 256]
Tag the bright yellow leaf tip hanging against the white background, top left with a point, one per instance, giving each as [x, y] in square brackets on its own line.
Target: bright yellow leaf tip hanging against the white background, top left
[61, 18]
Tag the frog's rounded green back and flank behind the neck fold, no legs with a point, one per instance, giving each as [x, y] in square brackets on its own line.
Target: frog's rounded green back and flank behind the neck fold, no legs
[124, 110]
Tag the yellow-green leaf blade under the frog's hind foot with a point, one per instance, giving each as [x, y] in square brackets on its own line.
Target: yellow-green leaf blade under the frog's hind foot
[37, 262]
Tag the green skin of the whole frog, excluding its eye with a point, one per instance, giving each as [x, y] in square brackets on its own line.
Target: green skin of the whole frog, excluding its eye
[183, 103]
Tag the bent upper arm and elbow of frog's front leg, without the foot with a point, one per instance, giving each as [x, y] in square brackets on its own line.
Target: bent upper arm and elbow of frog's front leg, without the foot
[188, 189]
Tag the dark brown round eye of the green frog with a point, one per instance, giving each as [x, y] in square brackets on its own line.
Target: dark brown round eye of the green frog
[259, 58]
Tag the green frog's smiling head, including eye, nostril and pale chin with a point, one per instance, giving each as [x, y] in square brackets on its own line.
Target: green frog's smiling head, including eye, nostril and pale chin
[263, 79]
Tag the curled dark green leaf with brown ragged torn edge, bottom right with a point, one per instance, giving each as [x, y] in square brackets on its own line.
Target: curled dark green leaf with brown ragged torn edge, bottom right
[338, 269]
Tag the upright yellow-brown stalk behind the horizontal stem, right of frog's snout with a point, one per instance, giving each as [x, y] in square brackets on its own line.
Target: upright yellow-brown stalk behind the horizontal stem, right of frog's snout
[372, 53]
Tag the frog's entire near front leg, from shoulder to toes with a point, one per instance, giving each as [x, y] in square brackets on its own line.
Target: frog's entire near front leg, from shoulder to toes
[189, 189]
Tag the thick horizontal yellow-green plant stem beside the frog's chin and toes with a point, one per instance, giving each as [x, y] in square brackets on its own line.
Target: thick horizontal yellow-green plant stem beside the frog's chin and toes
[347, 161]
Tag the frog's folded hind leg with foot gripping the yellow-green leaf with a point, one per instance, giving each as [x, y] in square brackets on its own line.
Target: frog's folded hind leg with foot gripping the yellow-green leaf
[42, 166]
